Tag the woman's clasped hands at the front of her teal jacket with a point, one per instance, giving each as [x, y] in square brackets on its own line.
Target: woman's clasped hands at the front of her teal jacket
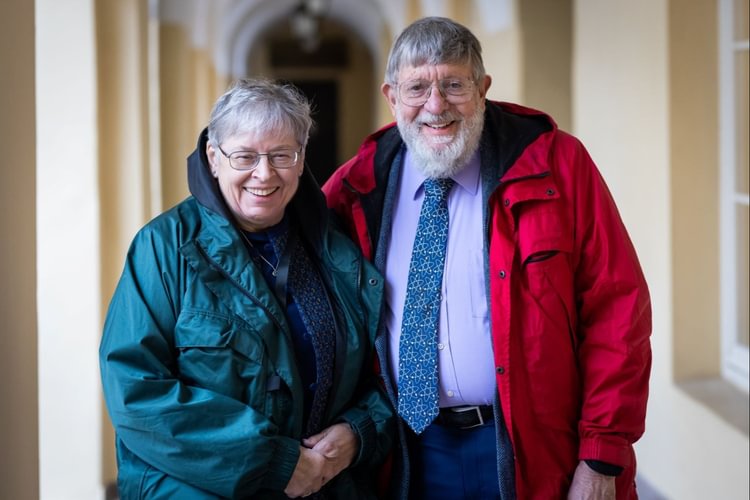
[325, 455]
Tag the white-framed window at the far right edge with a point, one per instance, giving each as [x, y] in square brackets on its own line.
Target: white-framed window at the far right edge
[734, 193]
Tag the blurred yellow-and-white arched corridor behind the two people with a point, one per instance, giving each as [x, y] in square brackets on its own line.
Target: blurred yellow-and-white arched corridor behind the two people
[101, 101]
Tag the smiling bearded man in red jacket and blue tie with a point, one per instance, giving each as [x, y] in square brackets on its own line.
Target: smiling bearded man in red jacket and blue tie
[539, 331]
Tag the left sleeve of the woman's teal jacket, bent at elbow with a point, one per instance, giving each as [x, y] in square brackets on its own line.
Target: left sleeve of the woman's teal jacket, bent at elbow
[193, 434]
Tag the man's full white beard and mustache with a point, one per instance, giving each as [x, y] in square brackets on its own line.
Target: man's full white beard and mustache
[452, 153]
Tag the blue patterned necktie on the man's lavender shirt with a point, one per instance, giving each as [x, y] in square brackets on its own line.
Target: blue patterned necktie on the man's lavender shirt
[417, 367]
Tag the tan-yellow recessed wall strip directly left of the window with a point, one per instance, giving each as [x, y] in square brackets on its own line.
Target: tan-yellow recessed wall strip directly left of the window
[694, 151]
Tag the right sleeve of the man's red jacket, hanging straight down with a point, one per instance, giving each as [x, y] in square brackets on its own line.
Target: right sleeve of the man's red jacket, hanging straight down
[614, 319]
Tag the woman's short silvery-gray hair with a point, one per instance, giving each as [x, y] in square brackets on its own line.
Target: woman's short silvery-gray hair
[255, 103]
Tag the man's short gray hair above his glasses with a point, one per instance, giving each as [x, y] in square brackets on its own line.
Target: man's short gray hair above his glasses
[434, 40]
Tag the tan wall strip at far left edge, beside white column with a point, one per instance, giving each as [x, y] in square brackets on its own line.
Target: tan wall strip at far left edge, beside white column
[19, 476]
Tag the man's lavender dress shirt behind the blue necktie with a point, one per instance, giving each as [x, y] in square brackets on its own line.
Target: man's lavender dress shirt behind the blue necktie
[465, 362]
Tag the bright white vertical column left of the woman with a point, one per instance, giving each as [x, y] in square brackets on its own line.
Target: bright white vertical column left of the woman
[69, 297]
